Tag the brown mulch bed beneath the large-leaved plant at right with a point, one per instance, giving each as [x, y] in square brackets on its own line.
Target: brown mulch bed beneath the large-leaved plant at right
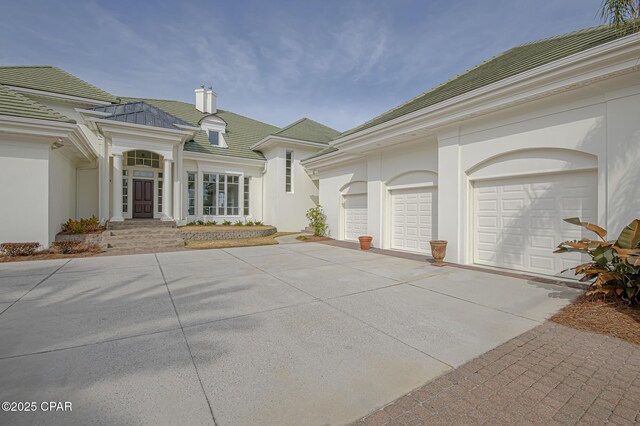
[611, 317]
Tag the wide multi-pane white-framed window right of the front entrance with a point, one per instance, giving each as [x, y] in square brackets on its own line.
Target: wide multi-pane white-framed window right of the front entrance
[220, 194]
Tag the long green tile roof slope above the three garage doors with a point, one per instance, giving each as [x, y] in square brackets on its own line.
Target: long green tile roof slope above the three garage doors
[512, 62]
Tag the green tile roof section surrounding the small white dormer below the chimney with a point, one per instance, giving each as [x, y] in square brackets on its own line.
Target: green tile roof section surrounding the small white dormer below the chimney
[241, 132]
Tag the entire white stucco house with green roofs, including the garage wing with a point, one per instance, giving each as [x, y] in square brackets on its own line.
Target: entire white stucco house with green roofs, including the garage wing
[491, 160]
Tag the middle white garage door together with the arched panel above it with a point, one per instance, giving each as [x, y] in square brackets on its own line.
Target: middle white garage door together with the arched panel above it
[412, 210]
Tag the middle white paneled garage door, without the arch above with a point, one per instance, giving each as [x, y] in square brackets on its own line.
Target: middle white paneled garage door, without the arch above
[412, 216]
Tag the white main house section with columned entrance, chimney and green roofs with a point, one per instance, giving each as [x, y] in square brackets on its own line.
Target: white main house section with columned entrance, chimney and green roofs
[71, 150]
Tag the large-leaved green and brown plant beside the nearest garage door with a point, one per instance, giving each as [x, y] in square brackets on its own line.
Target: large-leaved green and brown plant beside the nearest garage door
[615, 265]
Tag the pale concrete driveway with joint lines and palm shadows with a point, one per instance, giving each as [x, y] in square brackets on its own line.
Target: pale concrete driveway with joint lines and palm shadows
[289, 334]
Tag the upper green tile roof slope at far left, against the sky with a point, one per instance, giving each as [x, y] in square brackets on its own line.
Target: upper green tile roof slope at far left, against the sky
[52, 79]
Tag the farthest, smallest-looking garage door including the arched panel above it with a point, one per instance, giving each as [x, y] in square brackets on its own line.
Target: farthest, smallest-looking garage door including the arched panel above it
[354, 210]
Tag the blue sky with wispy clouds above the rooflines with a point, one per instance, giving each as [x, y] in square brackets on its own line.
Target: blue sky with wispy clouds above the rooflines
[337, 62]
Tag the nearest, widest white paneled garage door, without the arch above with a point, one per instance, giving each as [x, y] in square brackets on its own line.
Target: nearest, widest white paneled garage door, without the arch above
[518, 221]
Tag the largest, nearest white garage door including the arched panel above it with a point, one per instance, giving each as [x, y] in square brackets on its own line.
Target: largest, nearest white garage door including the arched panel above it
[519, 201]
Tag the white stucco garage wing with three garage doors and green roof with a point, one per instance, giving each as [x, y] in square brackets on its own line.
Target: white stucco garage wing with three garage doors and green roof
[493, 159]
